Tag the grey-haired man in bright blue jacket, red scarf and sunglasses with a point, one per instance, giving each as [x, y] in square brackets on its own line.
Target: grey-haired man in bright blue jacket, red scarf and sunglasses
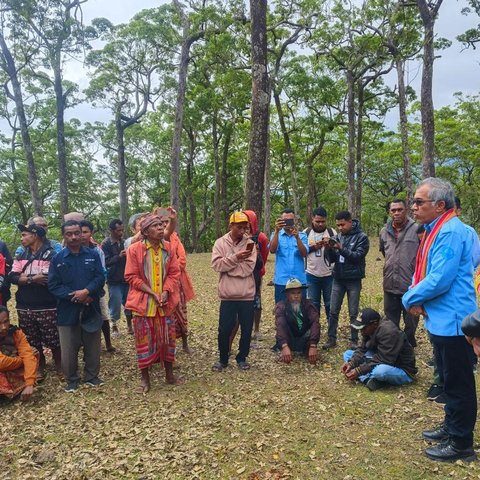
[442, 291]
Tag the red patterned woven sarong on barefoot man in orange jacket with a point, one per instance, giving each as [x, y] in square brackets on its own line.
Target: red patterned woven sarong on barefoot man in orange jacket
[154, 340]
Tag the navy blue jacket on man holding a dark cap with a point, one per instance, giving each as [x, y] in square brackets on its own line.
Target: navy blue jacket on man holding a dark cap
[69, 272]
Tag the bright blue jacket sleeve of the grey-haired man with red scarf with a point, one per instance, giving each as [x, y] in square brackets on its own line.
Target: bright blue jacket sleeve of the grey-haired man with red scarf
[443, 266]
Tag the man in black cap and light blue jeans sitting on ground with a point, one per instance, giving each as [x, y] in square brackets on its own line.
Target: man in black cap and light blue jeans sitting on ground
[384, 356]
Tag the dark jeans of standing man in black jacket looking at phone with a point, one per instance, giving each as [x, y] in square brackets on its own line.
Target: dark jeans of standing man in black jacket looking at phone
[339, 288]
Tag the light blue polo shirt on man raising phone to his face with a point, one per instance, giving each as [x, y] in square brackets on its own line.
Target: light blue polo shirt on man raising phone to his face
[288, 260]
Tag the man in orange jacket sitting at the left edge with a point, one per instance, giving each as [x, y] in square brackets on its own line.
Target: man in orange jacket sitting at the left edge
[18, 363]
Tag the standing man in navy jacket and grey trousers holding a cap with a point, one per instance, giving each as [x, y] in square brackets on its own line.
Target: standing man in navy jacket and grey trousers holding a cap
[76, 278]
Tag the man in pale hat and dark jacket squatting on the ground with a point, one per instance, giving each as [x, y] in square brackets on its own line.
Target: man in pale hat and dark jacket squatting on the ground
[297, 324]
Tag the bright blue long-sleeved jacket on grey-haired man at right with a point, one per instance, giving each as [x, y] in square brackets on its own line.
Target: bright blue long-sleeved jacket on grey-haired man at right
[446, 293]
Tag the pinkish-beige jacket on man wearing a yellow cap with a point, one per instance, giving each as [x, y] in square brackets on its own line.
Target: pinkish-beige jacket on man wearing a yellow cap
[236, 280]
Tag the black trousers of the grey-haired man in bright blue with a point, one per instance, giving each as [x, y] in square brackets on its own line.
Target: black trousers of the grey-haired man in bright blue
[454, 357]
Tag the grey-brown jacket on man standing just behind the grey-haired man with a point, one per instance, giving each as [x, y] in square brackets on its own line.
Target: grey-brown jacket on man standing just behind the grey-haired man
[400, 254]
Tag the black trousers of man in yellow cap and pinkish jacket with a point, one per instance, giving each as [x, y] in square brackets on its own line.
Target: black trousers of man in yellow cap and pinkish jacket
[230, 312]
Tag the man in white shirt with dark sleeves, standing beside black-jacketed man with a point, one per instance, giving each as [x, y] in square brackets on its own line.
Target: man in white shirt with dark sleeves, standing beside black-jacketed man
[319, 269]
